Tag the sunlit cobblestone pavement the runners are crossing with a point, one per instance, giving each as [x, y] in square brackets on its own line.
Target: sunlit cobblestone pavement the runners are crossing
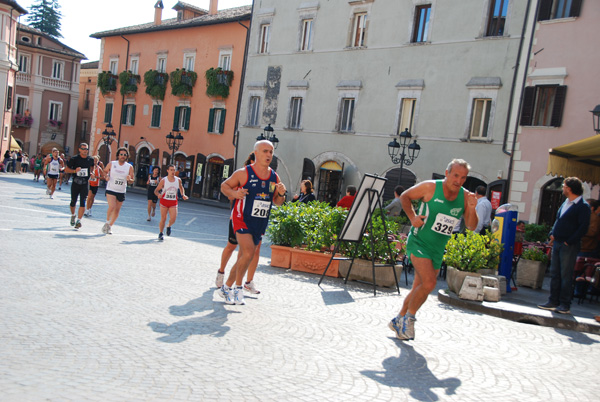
[121, 317]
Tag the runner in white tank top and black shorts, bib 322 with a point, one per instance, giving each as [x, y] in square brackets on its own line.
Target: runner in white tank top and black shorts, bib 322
[117, 174]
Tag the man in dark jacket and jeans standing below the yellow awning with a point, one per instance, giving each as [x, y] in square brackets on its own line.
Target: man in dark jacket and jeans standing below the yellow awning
[571, 224]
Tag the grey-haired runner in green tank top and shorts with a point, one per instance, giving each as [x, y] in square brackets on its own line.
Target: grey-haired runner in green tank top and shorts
[441, 205]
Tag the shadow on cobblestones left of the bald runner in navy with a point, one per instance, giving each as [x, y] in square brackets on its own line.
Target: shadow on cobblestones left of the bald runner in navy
[211, 324]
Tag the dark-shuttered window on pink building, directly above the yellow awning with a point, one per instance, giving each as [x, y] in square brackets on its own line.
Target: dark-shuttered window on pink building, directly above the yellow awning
[543, 105]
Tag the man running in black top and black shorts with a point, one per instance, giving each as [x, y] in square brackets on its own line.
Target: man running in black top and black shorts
[81, 166]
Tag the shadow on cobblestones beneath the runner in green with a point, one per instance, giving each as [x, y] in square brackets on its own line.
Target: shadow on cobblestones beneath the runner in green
[409, 370]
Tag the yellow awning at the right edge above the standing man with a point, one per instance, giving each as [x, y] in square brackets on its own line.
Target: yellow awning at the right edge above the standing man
[580, 159]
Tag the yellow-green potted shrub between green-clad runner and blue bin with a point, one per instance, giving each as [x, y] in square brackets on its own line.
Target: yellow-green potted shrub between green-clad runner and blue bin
[468, 253]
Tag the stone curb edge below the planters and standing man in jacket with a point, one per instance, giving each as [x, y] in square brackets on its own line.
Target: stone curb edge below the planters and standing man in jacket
[523, 314]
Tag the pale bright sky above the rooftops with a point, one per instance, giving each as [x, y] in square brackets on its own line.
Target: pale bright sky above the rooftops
[80, 19]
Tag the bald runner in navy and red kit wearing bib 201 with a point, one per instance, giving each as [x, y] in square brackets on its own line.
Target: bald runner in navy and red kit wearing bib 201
[255, 188]
